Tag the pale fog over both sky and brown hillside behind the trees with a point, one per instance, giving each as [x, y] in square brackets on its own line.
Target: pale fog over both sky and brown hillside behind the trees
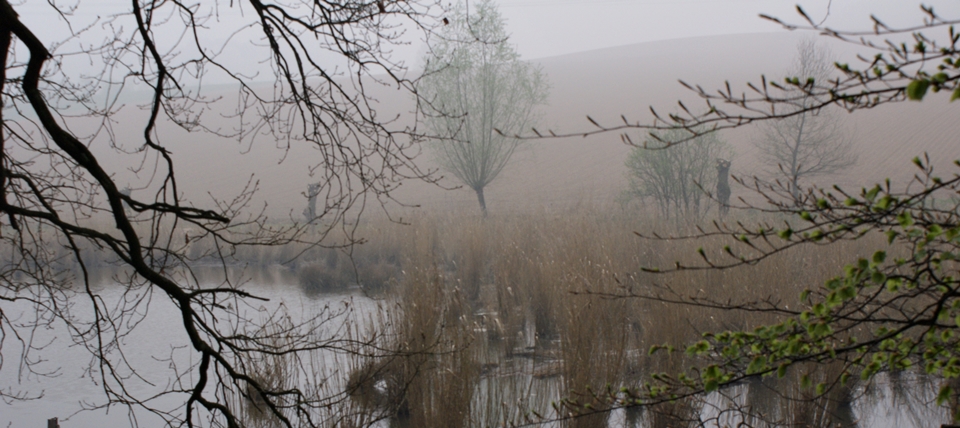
[604, 59]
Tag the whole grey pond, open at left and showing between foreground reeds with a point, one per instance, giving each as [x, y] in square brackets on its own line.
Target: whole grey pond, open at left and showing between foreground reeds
[505, 380]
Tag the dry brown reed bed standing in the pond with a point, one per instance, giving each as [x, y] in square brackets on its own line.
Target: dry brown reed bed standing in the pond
[520, 319]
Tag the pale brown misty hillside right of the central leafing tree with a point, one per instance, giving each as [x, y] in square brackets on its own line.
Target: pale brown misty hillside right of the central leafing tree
[628, 80]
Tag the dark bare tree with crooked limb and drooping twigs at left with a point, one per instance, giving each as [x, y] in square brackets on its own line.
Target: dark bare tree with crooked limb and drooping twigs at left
[63, 212]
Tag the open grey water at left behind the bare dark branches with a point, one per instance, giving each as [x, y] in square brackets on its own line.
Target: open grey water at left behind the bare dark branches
[157, 344]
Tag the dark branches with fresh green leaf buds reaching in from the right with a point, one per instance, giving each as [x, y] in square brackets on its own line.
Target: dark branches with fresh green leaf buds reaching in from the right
[895, 309]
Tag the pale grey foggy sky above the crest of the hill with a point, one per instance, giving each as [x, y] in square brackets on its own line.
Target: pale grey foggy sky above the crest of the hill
[544, 28]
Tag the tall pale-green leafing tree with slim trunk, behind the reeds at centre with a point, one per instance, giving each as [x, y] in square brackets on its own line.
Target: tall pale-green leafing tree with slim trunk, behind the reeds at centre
[479, 94]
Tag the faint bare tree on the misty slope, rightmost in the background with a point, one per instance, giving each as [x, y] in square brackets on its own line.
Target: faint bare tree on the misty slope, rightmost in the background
[810, 142]
